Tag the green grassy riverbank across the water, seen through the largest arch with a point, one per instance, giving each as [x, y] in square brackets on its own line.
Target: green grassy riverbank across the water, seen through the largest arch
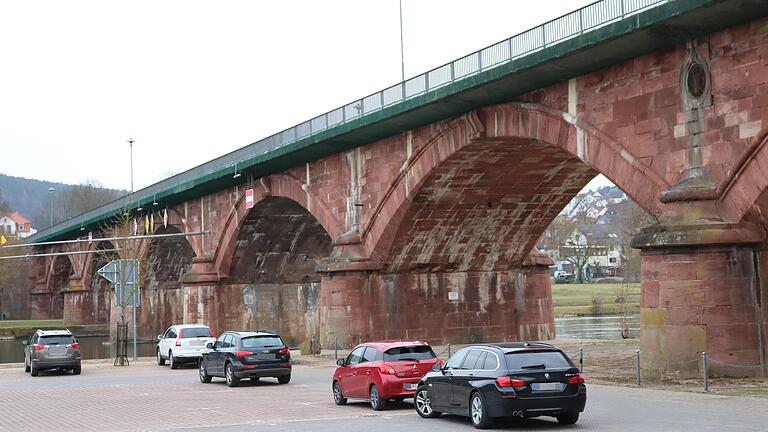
[577, 299]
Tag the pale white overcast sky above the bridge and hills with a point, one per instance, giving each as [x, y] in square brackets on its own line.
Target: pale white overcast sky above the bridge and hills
[192, 80]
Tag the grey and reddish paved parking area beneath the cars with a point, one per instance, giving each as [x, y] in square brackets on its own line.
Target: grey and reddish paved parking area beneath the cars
[148, 397]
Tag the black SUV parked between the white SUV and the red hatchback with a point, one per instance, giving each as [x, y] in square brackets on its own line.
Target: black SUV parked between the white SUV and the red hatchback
[254, 355]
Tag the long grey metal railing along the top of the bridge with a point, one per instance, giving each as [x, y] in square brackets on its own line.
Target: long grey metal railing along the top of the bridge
[560, 29]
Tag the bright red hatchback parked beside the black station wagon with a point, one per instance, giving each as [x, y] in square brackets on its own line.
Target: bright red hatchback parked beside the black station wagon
[382, 371]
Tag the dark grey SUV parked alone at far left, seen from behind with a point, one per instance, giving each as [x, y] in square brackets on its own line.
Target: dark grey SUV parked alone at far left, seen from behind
[52, 349]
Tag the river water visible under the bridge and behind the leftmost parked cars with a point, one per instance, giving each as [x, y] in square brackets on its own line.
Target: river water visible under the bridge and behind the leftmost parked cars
[589, 327]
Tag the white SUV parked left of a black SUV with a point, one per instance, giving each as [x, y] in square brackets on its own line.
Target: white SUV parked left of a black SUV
[183, 343]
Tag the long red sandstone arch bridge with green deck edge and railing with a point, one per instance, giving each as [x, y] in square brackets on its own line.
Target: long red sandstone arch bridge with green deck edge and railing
[418, 218]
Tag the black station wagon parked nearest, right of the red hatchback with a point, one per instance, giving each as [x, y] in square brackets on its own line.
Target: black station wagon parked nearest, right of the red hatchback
[510, 380]
